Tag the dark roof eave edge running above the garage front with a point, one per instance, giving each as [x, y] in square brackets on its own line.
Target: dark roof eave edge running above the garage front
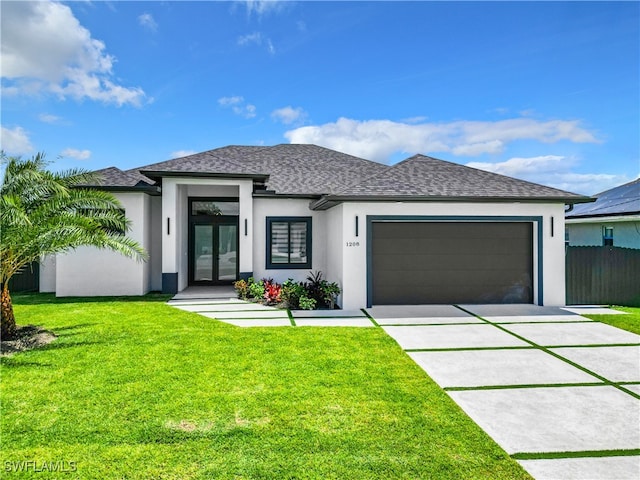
[328, 201]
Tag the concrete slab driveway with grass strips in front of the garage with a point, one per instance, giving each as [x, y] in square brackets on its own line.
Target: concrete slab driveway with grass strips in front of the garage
[558, 392]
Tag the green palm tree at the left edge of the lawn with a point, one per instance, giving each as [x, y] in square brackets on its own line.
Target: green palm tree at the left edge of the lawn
[45, 213]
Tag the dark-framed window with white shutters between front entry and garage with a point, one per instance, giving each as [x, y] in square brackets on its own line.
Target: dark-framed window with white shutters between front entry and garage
[288, 242]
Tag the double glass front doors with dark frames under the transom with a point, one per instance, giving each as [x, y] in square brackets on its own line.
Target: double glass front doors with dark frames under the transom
[214, 252]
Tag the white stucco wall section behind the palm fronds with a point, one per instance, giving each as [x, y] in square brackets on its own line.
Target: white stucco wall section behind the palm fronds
[89, 271]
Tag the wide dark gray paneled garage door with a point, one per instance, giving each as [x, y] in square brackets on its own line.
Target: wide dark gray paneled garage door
[447, 262]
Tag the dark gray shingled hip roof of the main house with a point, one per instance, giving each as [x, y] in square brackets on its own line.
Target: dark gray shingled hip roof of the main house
[332, 177]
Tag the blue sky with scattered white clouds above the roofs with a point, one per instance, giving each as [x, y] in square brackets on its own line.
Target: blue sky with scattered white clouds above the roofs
[544, 91]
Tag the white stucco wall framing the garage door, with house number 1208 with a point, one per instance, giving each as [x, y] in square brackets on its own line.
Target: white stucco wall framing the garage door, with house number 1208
[354, 249]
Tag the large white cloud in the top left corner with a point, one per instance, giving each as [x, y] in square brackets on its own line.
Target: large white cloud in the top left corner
[44, 48]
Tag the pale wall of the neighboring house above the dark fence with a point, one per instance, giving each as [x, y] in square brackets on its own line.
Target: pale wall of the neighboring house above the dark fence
[588, 232]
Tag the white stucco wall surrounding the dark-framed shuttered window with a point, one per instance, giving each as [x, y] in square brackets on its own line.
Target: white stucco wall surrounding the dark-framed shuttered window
[287, 207]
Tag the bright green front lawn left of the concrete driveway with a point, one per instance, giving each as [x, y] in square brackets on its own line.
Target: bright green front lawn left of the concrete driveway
[137, 389]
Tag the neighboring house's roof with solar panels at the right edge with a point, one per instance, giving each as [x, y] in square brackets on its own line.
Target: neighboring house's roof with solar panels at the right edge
[621, 200]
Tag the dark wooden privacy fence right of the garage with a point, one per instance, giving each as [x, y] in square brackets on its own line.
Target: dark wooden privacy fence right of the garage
[603, 275]
